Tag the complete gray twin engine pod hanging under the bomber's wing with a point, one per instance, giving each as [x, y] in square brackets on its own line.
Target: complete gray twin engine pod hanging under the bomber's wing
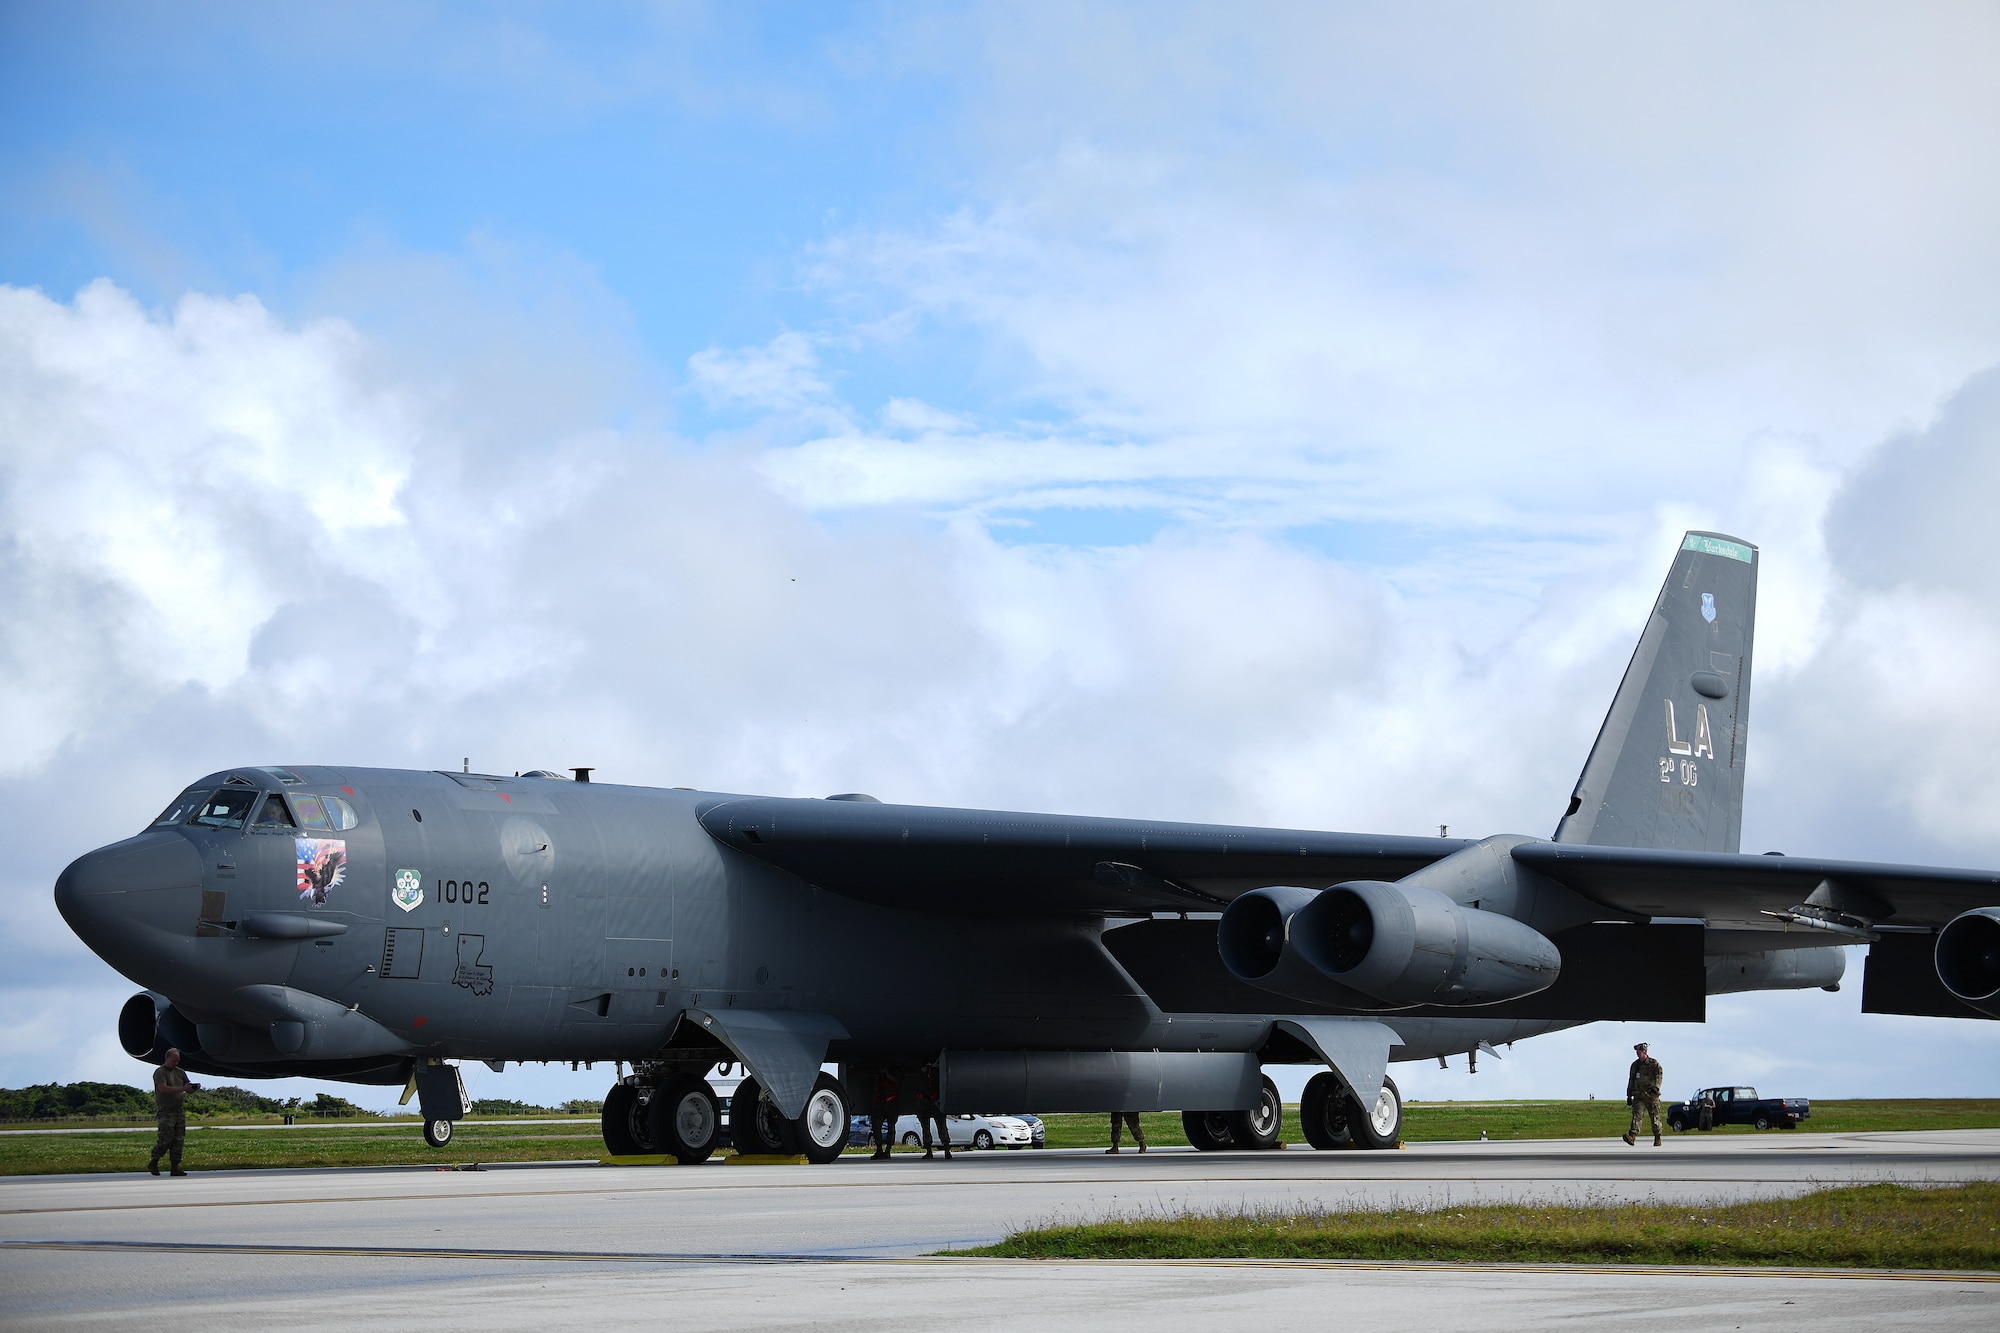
[1373, 944]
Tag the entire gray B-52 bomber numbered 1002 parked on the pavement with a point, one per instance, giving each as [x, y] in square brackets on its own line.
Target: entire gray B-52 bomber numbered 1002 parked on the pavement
[379, 926]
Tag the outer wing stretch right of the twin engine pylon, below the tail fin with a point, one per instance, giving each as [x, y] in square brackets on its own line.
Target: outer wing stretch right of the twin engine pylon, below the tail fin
[1727, 888]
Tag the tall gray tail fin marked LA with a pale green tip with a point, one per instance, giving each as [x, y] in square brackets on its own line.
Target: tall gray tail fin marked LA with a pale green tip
[1669, 764]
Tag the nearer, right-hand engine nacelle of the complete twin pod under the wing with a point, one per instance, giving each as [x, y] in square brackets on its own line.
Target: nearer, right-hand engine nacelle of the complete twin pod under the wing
[1411, 946]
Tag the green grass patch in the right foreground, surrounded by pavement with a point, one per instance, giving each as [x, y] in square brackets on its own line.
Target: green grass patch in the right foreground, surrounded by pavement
[1867, 1228]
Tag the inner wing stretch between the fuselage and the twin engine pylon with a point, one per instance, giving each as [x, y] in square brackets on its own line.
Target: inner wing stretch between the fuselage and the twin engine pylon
[1007, 864]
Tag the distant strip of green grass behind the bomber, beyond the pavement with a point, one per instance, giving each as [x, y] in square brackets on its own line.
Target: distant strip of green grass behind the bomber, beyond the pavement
[379, 1144]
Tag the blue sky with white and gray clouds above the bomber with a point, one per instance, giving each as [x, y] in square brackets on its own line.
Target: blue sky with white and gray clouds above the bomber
[943, 399]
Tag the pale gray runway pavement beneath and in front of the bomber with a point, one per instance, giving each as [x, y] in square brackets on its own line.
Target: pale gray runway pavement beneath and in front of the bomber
[777, 1248]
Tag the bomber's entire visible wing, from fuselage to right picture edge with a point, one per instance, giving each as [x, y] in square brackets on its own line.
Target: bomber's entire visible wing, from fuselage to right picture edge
[1015, 864]
